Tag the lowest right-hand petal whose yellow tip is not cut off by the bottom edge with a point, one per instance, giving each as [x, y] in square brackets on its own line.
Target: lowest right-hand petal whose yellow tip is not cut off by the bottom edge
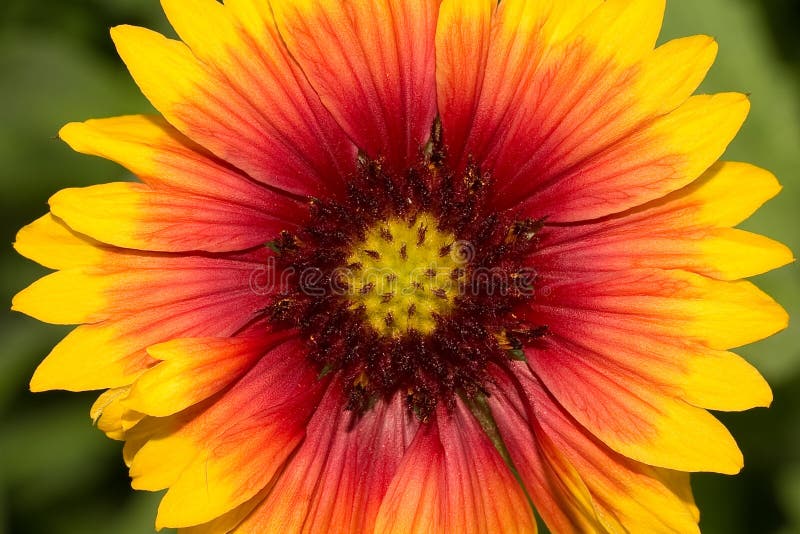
[640, 421]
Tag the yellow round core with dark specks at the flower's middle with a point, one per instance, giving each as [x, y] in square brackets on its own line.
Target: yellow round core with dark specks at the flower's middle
[404, 274]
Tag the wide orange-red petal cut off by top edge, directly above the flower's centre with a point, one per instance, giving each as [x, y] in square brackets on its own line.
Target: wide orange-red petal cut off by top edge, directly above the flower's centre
[373, 65]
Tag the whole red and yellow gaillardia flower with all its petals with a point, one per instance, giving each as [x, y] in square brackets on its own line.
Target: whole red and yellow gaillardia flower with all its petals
[413, 266]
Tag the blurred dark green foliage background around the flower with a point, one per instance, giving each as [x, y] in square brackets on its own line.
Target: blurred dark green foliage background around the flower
[59, 475]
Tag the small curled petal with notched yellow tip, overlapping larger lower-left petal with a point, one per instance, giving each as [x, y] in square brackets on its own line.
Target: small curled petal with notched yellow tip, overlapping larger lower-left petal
[192, 370]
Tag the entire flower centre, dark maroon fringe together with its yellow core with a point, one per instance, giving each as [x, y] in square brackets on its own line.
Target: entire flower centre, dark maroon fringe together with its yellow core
[409, 283]
